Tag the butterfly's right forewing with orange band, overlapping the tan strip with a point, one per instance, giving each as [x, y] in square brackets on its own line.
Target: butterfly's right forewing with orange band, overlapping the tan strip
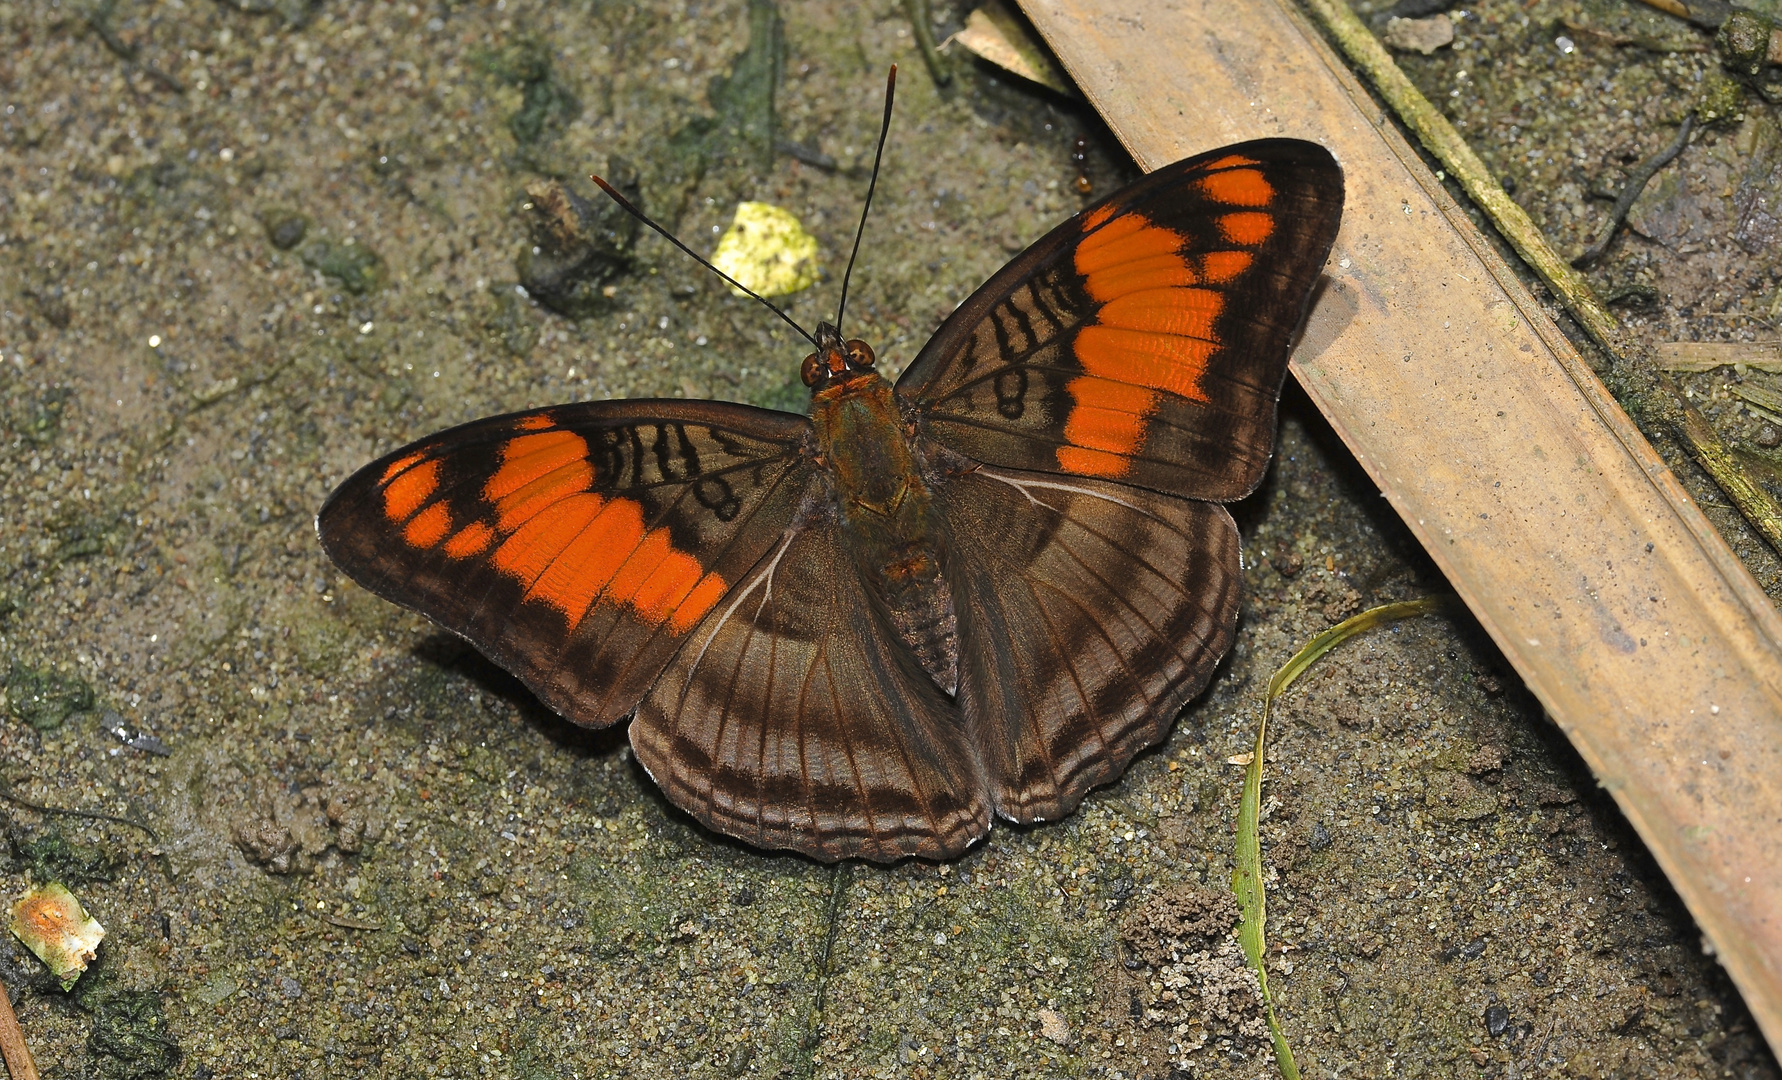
[1145, 340]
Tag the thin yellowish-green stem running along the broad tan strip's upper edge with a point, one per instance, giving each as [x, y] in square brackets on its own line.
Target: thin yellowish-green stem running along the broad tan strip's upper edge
[1439, 136]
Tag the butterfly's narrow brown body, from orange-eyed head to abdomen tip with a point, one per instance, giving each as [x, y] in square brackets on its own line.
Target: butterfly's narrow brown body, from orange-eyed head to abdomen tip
[887, 507]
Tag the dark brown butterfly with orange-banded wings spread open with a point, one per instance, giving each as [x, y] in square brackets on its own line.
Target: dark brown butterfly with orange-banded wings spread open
[872, 630]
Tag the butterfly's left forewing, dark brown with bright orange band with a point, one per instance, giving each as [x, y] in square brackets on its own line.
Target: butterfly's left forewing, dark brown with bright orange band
[580, 544]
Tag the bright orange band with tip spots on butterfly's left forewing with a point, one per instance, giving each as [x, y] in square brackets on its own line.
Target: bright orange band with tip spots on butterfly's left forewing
[566, 544]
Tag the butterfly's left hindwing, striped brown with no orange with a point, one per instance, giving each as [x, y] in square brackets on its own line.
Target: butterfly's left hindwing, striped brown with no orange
[796, 717]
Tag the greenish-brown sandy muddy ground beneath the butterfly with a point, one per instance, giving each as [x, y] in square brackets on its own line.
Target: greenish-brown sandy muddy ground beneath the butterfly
[247, 247]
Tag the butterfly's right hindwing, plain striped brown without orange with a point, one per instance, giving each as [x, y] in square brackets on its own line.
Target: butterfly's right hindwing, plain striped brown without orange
[1090, 614]
